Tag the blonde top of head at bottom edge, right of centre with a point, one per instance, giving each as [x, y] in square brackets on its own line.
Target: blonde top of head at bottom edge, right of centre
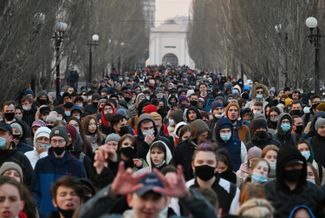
[256, 208]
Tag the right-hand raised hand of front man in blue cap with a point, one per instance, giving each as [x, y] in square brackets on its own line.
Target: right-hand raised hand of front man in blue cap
[172, 187]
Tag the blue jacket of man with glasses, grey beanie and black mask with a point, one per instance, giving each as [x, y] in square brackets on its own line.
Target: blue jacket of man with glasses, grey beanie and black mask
[47, 171]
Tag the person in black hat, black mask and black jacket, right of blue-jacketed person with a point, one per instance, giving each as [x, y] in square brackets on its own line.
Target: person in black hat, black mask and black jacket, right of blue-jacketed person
[260, 135]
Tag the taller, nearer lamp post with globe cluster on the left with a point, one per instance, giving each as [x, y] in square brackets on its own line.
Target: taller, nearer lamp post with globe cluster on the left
[59, 30]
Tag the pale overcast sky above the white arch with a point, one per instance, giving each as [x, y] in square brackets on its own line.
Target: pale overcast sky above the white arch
[166, 9]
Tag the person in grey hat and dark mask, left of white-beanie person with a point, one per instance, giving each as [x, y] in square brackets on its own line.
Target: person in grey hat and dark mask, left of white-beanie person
[18, 138]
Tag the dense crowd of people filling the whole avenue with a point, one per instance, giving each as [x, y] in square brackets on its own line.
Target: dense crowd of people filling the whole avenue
[163, 142]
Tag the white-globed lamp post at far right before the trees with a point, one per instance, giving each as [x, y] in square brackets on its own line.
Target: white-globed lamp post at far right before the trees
[314, 38]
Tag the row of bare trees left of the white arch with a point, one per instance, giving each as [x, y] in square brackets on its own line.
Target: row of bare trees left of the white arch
[27, 47]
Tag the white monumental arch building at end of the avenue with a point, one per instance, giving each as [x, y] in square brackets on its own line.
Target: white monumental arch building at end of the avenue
[168, 45]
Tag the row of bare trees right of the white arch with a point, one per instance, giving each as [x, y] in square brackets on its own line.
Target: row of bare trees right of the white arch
[266, 39]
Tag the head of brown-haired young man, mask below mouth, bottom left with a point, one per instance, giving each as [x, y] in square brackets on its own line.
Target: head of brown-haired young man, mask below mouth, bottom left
[67, 196]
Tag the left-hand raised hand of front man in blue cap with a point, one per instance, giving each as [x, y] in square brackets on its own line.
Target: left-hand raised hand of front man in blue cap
[126, 181]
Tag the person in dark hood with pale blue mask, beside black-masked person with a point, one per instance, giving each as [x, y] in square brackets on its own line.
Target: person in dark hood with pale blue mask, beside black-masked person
[284, 128]
